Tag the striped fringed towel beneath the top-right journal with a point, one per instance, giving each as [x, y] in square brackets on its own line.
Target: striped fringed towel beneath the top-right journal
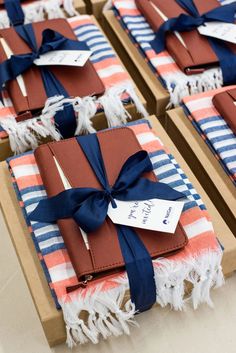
[163, 65]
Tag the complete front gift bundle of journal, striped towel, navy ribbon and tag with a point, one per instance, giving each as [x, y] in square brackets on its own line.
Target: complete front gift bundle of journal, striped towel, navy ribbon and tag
[101, 273]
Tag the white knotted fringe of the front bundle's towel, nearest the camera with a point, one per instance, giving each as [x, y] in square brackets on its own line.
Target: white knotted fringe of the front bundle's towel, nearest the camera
[111, 313]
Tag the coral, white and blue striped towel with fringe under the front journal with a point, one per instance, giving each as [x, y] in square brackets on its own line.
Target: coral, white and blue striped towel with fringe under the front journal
[103, 308]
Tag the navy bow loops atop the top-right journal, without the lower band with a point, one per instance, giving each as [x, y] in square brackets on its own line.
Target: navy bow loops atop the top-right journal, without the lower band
[184, 22]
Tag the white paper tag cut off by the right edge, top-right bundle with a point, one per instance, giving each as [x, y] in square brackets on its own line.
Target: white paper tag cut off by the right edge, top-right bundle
[221, 30]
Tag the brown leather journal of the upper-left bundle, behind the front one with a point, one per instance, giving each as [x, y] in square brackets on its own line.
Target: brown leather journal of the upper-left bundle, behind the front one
[77, 81]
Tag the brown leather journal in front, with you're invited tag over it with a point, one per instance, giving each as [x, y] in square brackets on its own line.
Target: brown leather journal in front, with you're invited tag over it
[104, 255]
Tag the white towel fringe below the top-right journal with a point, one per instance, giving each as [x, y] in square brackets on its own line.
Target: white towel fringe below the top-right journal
[180, 85]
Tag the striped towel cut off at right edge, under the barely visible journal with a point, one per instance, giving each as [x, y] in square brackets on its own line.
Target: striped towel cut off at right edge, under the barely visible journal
[213, 129]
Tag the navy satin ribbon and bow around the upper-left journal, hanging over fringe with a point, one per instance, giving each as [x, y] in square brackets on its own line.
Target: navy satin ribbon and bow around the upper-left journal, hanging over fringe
[18, 64]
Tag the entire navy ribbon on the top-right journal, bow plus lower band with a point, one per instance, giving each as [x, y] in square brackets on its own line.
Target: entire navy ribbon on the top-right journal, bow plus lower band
[185, 22]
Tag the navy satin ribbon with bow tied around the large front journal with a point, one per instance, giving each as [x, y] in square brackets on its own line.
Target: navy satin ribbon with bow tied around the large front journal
[89, 206]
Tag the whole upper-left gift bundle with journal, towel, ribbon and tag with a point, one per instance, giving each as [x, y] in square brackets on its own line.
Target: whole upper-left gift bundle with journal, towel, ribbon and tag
[59, 101]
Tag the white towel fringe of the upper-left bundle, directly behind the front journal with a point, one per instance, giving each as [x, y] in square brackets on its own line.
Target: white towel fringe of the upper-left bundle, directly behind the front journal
[27, 134]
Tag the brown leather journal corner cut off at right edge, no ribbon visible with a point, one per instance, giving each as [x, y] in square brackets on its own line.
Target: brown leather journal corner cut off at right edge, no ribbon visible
[225, 104]
